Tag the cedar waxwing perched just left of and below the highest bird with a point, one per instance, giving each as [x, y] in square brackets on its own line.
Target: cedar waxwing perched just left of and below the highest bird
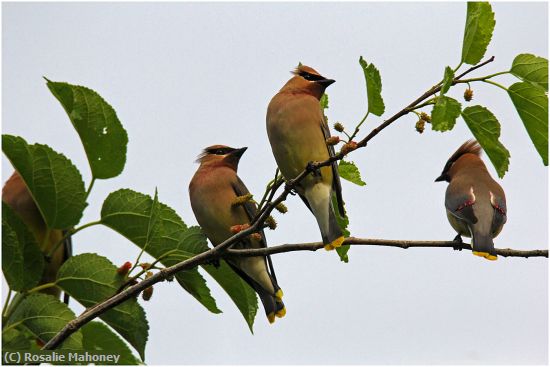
[213, 191]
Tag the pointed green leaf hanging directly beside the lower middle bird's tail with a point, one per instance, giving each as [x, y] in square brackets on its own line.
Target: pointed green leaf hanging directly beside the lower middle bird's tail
[240, 292]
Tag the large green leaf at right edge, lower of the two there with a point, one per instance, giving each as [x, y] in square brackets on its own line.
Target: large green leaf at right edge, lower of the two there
[532, 105]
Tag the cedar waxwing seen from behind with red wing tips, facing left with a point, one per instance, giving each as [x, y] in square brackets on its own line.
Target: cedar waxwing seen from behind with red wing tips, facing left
[475, 203]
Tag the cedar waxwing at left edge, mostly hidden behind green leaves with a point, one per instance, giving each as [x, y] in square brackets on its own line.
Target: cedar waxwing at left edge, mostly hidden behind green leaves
[17, 196]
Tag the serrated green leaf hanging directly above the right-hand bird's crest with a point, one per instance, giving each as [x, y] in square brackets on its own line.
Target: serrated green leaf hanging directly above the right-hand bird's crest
[486, 129]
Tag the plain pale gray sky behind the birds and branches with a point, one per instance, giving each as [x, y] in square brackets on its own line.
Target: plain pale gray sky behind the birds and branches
[183, 76]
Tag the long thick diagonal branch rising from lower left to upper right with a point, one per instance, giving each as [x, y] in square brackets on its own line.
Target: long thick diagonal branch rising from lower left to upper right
[258, 223]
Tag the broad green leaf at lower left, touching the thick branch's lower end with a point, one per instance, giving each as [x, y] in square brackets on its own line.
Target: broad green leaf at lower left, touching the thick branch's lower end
[44, 316]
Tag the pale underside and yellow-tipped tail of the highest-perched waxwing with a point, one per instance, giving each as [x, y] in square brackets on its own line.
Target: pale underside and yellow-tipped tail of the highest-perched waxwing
[320, 203]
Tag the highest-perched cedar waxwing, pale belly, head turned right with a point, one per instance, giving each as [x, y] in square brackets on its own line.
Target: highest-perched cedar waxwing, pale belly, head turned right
[297, 132]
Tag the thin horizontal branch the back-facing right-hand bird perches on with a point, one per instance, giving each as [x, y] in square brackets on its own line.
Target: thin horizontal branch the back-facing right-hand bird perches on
[404, 244]
